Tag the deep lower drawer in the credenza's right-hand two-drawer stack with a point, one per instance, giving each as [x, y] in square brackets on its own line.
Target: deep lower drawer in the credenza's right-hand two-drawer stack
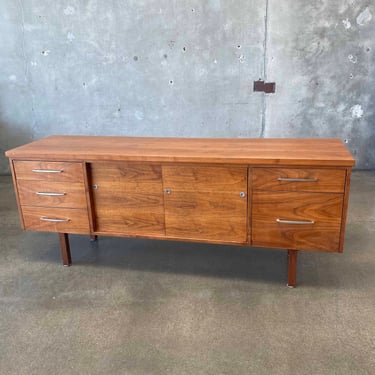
[301, 221]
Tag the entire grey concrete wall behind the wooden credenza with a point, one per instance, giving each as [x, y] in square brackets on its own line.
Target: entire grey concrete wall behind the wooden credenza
[186, 68]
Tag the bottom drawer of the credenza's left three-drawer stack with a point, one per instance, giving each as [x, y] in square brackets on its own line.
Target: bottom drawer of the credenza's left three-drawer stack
[61, 220]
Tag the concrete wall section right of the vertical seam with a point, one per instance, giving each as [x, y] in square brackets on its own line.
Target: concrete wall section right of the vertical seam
[322, 55]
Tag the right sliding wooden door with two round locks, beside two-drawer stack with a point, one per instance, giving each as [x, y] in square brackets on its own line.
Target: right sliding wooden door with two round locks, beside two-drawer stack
[206, 203]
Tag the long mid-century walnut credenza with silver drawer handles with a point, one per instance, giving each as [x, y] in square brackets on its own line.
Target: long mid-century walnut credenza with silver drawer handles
[289, 194]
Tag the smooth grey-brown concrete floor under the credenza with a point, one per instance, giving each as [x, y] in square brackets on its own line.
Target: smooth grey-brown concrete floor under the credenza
[156, 307]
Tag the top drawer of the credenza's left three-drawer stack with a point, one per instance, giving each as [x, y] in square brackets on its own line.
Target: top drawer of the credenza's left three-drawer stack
[48, 171]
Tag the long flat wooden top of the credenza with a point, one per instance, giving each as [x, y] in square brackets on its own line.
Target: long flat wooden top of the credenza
[271, 151]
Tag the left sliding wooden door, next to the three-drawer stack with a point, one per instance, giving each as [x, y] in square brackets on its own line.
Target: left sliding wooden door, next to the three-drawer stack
[128, 198]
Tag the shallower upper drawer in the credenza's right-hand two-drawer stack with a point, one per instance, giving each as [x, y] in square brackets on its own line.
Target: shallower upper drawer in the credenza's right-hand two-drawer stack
[299, 179]
